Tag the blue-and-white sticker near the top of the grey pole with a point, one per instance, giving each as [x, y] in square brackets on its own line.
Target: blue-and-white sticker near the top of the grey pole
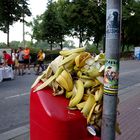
[112, 24]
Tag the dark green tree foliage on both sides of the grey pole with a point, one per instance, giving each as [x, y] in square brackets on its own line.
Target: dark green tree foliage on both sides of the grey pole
[85, 19]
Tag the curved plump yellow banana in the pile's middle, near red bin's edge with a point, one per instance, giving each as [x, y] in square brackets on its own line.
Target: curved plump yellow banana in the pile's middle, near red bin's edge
[79, 94]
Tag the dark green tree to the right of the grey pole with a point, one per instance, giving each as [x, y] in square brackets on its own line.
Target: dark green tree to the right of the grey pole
[130, 23]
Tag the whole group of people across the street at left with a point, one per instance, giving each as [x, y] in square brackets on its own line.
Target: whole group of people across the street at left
[20, 59]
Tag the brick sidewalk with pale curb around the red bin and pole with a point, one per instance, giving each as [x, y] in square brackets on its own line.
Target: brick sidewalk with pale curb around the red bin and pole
[129, 118]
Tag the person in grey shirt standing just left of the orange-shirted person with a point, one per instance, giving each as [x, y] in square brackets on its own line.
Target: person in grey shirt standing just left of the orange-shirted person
[20, 61]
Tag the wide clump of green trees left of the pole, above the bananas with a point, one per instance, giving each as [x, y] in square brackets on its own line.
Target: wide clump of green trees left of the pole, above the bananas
[78, 18]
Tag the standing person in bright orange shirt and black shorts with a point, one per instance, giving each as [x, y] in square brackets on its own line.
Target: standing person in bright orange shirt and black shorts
[27, 59]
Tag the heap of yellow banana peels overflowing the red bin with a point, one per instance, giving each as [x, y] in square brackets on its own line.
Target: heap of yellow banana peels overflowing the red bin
[79, 77]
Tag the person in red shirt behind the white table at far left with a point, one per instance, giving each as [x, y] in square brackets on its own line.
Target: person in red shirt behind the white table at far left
[7, 59]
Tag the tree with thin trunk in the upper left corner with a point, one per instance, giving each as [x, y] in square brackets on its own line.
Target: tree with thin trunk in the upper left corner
[10, 12]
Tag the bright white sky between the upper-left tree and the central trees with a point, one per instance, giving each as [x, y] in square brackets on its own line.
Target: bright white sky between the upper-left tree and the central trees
[37, 7]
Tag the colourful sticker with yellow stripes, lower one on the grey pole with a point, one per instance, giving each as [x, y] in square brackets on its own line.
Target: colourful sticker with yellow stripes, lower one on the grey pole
[111, 77]
